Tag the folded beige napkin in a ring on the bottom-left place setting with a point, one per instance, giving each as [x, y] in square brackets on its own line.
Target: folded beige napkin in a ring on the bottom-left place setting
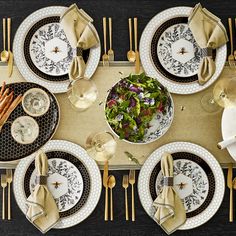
[42, 209]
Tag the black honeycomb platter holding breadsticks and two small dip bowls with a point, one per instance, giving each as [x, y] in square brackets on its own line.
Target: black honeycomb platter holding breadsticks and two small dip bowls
[10, 150]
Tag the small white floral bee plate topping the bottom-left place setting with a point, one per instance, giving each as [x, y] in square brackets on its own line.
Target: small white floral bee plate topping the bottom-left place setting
[70, 183]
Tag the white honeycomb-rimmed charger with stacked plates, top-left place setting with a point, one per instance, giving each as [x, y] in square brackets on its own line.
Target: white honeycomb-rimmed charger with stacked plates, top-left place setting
[45, 55]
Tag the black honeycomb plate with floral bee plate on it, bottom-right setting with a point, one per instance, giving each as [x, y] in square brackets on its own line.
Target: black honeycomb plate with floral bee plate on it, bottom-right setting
[193, 180]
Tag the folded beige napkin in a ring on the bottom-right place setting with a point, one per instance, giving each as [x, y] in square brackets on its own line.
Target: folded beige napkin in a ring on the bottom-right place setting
[170, 212]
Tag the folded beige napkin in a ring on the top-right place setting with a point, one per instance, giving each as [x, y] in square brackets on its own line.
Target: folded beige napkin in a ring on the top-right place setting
[209, 33]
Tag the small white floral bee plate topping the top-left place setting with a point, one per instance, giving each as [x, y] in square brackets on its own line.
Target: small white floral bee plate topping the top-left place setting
[60, 51]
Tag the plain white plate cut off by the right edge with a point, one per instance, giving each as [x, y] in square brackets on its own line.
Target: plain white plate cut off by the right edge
[228, 128]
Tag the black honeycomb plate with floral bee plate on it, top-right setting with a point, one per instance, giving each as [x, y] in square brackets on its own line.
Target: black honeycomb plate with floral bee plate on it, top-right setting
[174, 51]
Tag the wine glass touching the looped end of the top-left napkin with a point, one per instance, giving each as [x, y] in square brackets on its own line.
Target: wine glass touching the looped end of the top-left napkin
[82, 94]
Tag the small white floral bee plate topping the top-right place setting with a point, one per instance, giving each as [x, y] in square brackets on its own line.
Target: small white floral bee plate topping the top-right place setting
[175, 43]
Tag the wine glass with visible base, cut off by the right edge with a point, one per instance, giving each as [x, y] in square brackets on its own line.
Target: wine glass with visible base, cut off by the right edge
[224, 95]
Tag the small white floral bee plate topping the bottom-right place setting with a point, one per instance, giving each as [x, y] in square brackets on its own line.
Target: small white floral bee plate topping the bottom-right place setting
[194, 182]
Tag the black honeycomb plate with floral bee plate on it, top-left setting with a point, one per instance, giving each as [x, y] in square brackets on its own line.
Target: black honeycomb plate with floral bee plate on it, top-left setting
[47, 51]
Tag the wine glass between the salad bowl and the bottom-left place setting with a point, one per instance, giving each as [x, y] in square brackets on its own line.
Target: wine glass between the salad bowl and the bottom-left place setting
[101, 146]
